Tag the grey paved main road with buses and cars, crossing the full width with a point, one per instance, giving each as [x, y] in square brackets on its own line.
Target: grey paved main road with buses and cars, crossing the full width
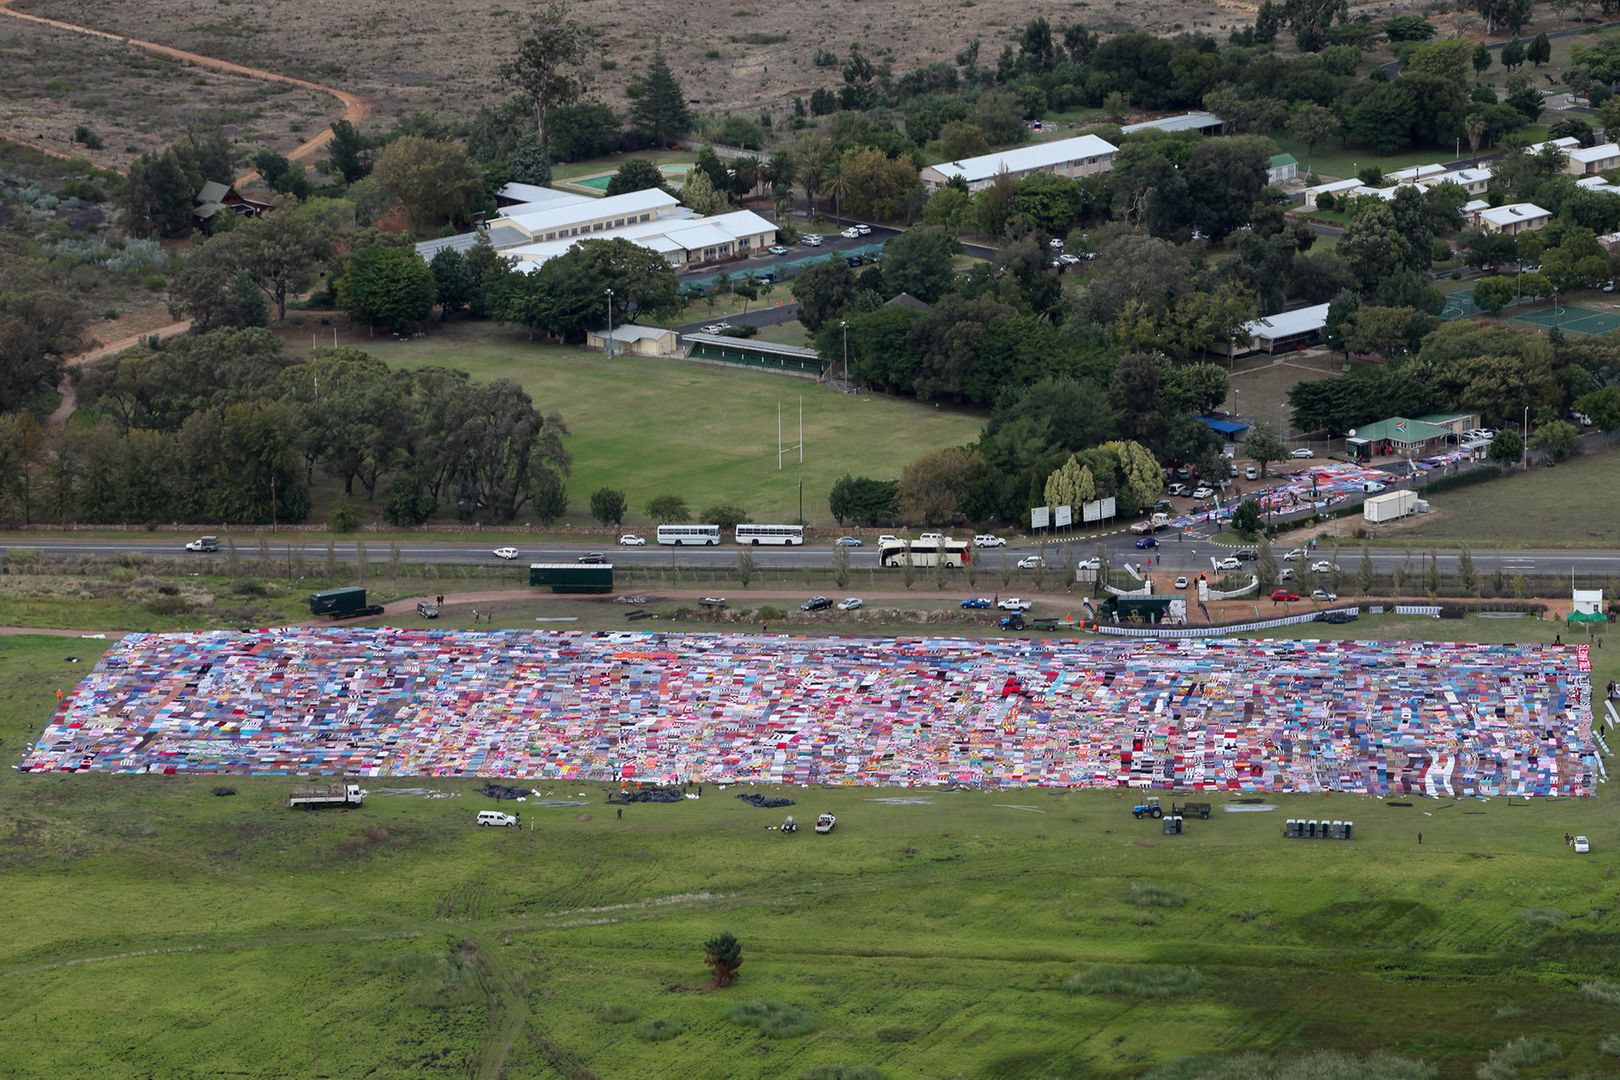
[1192, 553]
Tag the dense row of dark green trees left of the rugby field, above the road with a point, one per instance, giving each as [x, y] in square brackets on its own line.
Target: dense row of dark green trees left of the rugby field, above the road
[223, 427]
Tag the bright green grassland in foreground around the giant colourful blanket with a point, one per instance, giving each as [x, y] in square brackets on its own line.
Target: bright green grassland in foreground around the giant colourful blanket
[158, 930]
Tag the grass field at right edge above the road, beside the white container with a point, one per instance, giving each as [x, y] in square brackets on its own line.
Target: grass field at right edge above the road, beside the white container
[1572, 504]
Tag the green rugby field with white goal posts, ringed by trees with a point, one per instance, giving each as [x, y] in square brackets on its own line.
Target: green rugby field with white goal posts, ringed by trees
[709, 435]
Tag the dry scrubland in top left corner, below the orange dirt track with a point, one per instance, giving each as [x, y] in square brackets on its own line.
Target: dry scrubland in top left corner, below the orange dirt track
[137, 101]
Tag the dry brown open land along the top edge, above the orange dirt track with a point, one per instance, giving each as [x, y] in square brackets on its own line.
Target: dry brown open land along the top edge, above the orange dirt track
[445, 57]
